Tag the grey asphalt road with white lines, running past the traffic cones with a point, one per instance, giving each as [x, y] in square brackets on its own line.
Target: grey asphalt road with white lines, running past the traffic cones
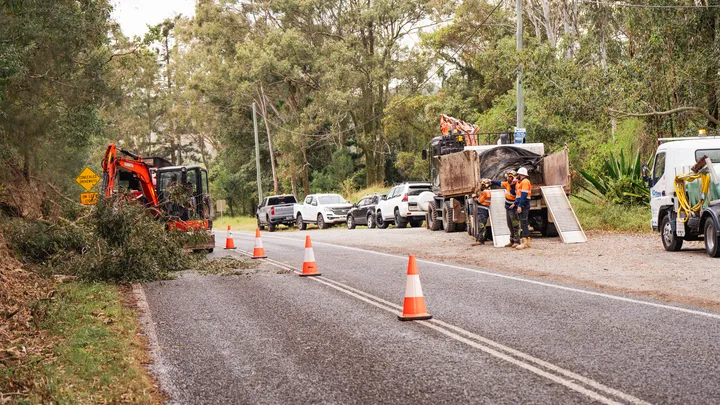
[494, 338]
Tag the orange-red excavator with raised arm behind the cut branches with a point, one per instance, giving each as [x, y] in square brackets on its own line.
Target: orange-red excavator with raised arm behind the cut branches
[152, 181]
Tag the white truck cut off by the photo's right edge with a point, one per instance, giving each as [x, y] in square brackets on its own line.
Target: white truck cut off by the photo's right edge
[676, 156]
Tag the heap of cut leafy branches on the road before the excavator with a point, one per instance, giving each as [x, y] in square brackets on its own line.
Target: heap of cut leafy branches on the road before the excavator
[119, 241]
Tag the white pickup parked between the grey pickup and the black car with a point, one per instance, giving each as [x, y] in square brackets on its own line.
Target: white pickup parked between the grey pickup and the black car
[321, 209]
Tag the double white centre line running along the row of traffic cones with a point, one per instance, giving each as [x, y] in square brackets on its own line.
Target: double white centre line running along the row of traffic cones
[456, 333]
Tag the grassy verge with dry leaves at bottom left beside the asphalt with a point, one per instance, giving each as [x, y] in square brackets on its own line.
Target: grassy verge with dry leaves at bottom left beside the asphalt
[91, 352]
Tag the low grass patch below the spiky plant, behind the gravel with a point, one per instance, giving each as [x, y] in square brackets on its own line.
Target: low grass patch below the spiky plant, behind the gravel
[602, 216]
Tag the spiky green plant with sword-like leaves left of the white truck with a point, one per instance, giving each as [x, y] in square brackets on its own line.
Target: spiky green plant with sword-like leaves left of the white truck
[620, 181]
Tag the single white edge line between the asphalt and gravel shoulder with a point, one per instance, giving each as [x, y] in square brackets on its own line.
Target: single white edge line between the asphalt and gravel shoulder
[544, 284]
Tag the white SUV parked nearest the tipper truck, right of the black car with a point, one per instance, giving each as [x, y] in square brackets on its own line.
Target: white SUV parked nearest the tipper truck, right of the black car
[400, 206]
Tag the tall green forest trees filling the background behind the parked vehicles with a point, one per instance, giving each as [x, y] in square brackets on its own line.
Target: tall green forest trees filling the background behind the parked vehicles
[347, 92]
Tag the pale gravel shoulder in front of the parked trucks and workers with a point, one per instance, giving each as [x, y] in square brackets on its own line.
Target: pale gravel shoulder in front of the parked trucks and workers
[625, 263]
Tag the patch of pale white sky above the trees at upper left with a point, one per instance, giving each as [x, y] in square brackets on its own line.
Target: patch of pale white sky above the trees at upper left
[135, 15]
